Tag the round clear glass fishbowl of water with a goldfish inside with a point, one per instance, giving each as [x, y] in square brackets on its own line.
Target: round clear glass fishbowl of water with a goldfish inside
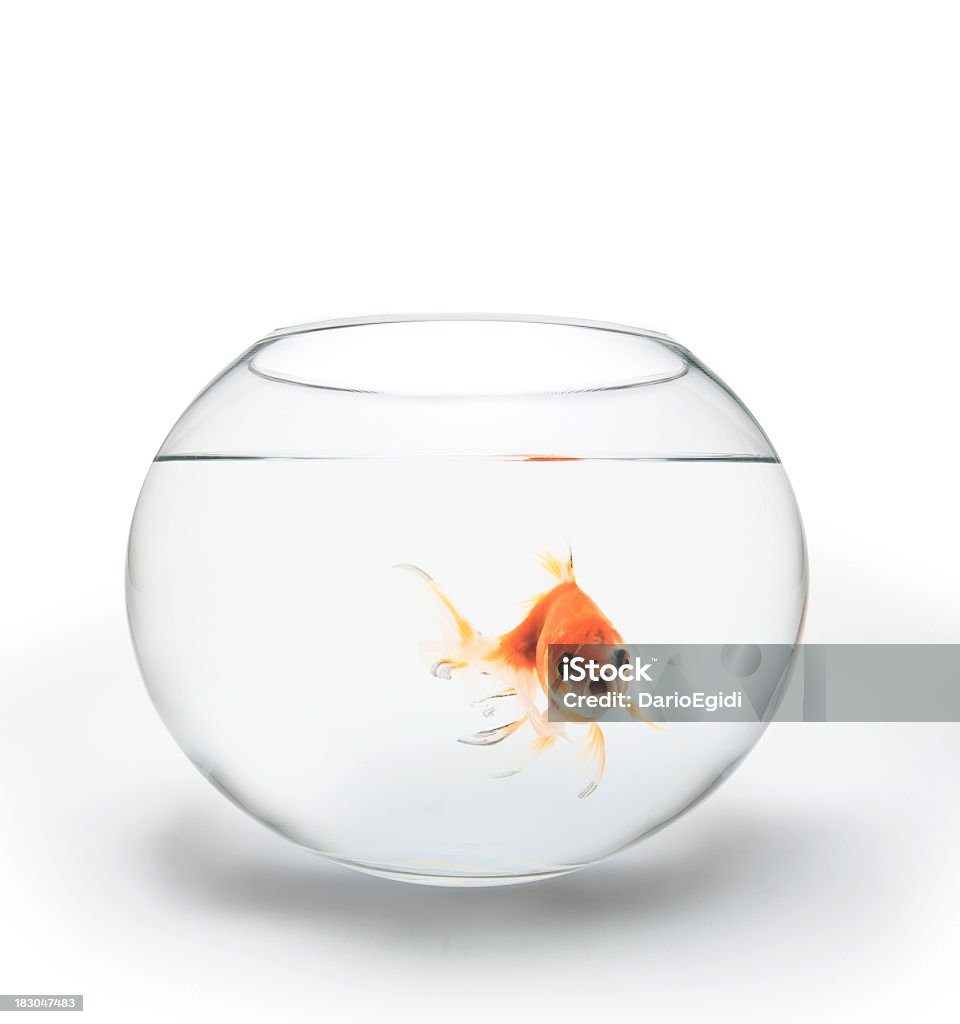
[353, 549]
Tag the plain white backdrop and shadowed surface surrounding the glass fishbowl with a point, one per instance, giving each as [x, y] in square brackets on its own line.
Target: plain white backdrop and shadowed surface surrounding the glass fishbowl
[773, 185]
